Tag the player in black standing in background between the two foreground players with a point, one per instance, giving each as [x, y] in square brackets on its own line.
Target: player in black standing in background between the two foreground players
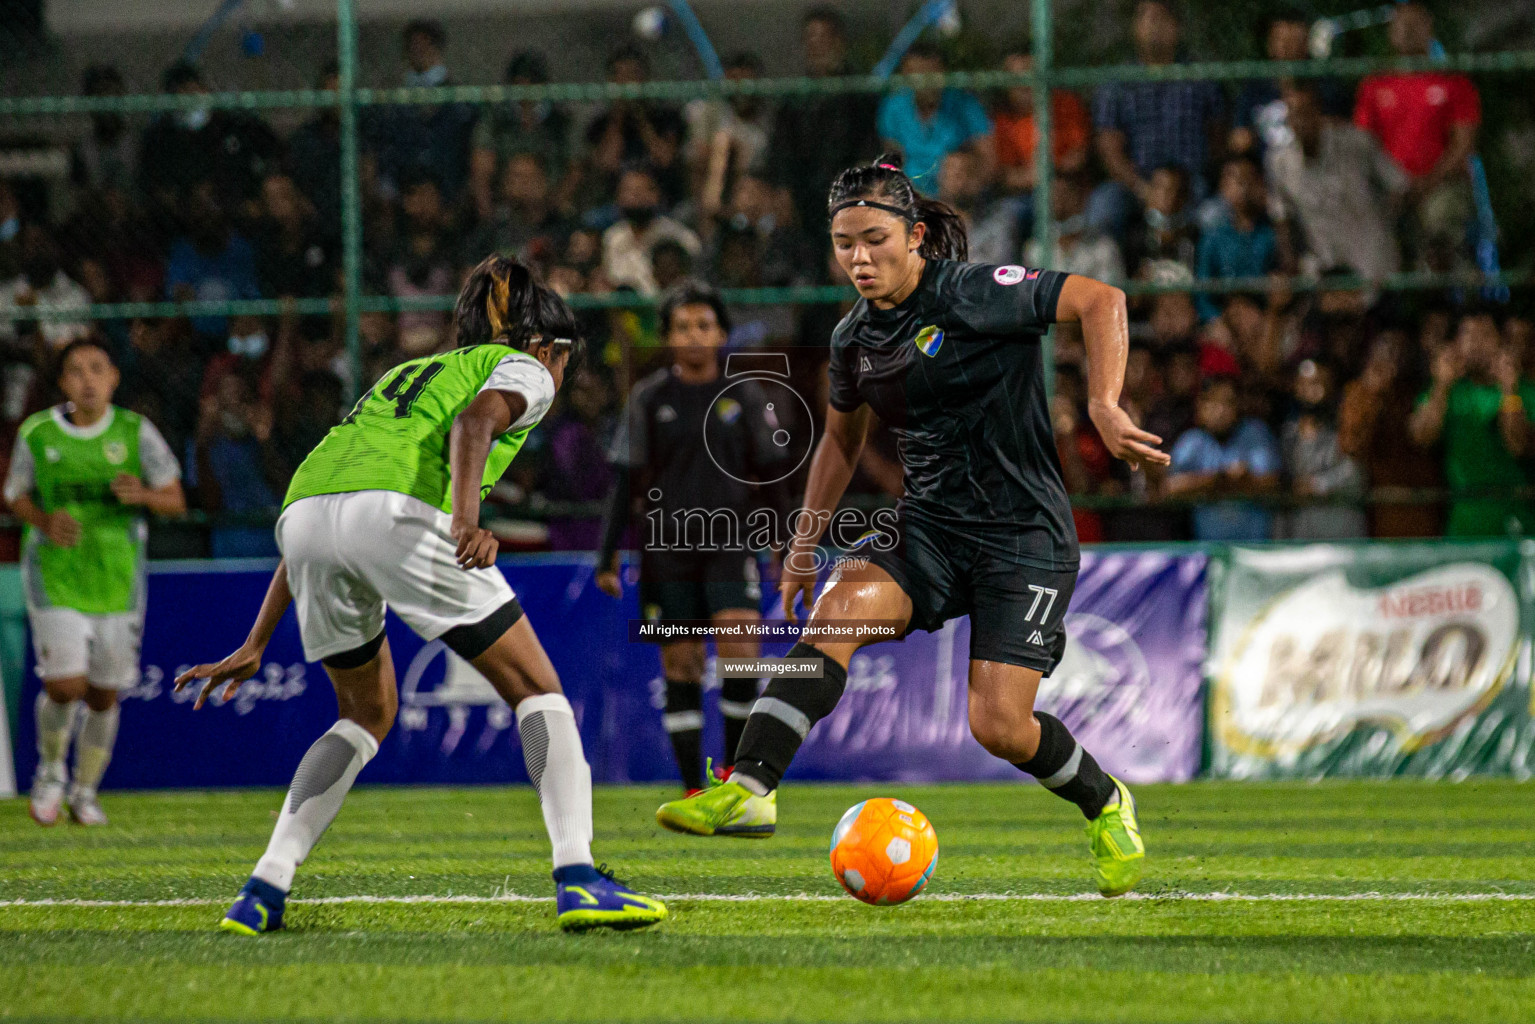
[685, 573]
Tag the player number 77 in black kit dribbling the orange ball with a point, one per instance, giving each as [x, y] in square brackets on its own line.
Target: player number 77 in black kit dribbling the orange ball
[948, 354]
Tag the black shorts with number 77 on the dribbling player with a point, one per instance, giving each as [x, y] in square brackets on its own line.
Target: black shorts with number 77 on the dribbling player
[1017, 612]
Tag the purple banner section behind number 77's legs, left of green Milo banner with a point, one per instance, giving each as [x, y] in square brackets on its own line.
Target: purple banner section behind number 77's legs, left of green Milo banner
[1129, 687]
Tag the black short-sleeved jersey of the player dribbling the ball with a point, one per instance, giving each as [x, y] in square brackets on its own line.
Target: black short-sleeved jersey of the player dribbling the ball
[956, 372]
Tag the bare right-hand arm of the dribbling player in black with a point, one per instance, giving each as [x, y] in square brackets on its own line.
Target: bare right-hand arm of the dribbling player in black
[1106, 332]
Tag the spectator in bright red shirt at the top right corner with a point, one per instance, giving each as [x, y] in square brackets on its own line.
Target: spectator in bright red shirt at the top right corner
[1428, 122]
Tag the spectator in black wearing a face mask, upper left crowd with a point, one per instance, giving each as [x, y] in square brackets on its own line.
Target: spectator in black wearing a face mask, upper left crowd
[182, 150]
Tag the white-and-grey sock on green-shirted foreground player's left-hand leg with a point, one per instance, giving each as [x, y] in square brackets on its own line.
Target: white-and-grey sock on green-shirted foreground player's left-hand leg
[320, 785]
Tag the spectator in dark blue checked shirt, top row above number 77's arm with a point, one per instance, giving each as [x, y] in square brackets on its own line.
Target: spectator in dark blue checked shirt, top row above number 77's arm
[1146, 125]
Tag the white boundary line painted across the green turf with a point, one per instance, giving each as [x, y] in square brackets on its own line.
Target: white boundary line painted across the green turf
[819, 897]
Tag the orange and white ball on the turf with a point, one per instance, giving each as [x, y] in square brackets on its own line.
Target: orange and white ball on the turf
[885, 851]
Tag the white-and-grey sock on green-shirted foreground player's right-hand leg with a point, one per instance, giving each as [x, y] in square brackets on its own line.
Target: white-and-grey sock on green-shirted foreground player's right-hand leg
[560, 771]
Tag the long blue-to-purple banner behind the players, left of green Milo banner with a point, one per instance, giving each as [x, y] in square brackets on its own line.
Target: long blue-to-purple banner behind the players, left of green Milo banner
[1129, 689]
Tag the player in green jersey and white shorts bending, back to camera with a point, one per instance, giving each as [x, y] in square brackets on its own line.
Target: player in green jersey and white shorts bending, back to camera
[385, 514]
